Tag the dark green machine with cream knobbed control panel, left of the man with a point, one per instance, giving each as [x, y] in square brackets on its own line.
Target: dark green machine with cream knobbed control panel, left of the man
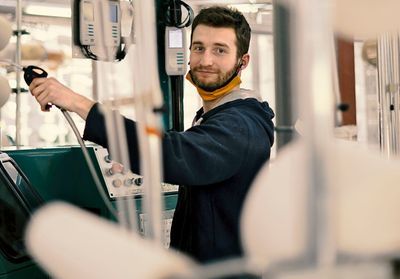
[32, 177]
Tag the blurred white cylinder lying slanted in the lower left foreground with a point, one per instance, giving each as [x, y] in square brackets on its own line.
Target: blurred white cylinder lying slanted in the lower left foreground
[71, 243]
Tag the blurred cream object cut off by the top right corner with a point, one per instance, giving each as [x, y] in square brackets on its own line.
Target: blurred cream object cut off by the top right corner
[366, 19]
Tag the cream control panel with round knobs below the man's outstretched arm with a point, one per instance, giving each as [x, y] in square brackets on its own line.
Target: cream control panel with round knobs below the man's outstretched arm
[121, 182]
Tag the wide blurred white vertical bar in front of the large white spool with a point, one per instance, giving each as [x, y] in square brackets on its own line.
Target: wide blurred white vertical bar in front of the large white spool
[314, 87]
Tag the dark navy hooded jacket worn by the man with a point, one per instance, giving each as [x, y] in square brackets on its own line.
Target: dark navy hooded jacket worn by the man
[215, 162]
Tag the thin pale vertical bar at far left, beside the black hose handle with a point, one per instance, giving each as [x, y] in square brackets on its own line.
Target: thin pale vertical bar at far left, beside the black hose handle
[18, 13]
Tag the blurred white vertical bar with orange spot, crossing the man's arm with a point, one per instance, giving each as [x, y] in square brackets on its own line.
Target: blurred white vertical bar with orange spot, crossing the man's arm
[149, 100]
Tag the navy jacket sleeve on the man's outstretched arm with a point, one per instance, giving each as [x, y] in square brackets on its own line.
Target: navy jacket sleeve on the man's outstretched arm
[204, 154]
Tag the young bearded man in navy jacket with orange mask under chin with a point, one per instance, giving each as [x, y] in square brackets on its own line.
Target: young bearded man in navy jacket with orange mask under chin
[216, 160]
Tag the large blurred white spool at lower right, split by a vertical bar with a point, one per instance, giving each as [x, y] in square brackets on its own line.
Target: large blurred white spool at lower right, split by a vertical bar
[365, 192]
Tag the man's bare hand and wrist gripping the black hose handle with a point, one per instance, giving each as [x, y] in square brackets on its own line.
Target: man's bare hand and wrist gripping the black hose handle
[51, 91]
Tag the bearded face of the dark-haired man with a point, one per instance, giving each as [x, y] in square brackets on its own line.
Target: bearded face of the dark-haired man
[213, 56]
